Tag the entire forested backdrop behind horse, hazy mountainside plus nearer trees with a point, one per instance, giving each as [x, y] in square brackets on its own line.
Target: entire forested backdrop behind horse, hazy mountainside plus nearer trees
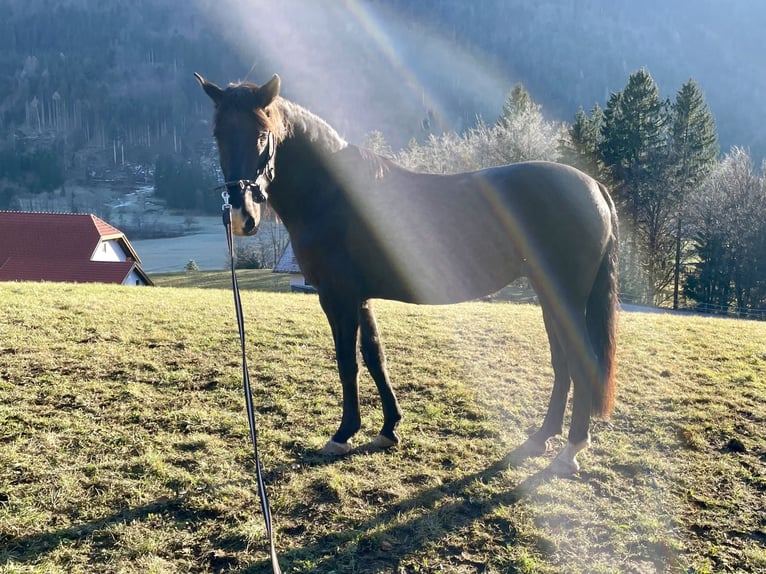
[97, 100]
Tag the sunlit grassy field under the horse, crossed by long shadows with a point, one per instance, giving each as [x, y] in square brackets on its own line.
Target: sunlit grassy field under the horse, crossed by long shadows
[124, 443]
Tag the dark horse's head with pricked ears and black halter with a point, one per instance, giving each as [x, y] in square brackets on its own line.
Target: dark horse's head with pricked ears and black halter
[245, 133]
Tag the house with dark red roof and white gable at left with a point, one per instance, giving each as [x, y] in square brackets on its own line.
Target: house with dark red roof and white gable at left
[65, 247]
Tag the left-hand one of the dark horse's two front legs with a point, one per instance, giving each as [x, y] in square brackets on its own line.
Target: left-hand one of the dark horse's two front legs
[344, 322]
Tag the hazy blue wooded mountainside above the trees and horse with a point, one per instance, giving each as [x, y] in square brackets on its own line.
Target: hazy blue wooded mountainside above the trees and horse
[105, 88]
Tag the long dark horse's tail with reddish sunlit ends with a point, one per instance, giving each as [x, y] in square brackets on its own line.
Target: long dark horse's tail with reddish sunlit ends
[601, 318]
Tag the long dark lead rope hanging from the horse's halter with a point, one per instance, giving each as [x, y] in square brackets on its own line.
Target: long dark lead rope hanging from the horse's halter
[248, 394]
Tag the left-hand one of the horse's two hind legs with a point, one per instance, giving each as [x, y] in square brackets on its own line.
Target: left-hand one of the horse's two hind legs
[554, 418]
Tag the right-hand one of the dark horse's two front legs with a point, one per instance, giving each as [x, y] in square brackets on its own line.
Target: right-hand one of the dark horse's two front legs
[375, 359]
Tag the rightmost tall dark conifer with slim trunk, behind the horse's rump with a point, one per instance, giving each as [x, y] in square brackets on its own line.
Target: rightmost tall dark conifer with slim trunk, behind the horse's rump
[694, 150]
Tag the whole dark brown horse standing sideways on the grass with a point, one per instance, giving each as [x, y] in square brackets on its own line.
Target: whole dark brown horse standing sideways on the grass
[364, 228]
